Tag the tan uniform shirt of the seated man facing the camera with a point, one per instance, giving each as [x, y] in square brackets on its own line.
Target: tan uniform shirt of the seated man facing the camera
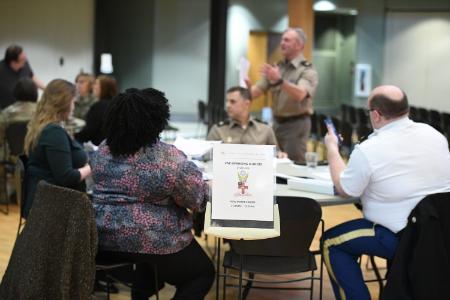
[256, 133]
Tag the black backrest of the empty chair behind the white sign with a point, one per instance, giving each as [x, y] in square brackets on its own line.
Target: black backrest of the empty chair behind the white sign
[299, 218]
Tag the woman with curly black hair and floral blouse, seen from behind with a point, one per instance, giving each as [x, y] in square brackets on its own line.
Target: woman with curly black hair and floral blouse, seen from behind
[144, 193]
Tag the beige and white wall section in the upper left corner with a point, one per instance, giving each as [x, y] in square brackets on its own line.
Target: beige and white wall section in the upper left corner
[49, 30]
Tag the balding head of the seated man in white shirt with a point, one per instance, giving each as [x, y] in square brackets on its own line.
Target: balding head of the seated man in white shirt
[389, 100]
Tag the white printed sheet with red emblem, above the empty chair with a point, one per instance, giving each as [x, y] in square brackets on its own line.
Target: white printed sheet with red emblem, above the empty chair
[243, 184]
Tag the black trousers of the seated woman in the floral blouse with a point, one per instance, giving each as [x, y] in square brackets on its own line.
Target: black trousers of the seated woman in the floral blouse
[189, 270]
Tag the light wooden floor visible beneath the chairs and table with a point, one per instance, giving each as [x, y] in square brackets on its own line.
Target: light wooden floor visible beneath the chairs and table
[332, 216]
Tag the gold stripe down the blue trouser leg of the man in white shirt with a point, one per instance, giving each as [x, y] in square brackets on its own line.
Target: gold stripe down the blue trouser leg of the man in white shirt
[340, 239]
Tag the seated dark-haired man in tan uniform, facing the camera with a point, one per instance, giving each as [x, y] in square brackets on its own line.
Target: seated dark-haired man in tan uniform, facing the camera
[242, 128]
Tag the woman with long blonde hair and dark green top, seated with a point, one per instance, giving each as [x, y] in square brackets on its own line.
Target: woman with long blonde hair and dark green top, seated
[53, 155]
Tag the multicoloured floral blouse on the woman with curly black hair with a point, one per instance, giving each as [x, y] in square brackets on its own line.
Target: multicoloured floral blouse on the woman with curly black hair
[141, 201]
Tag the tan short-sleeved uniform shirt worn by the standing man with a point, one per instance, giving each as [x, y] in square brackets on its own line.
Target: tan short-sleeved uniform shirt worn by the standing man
[299, 72]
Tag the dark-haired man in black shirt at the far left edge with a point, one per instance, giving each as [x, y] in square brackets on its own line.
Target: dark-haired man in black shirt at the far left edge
[14, 67]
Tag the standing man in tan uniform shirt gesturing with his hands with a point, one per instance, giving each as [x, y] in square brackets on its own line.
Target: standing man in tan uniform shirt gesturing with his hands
[293, 84]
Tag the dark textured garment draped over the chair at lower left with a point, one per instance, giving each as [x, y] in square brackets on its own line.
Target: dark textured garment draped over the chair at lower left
[54, 256]
